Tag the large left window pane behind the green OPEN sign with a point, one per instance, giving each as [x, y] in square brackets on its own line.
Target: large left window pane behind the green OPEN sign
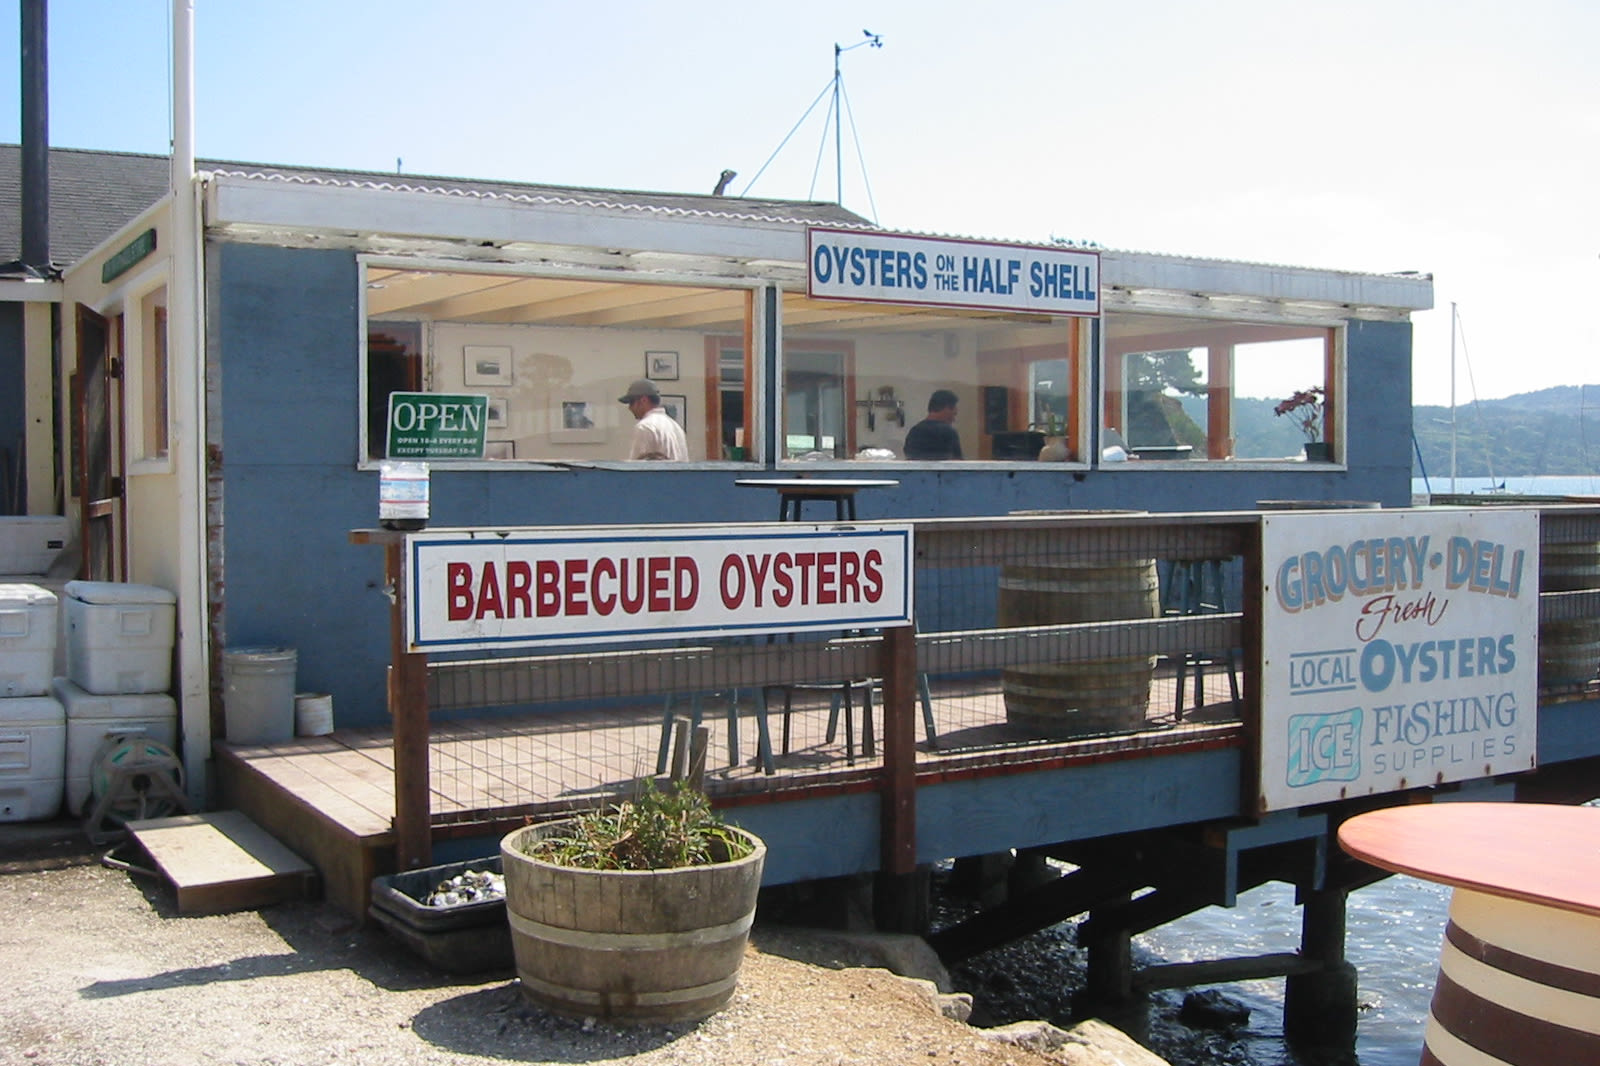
[553, 356]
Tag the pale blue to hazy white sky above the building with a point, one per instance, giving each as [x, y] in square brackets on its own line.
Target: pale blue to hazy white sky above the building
[1454, 138]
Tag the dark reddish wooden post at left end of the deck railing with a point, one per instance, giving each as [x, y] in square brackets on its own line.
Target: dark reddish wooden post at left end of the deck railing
[409, 711]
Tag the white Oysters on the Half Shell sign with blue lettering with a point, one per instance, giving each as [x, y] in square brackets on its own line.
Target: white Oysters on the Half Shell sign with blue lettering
[884, 268]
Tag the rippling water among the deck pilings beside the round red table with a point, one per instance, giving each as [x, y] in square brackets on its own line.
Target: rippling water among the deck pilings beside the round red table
[1393, 937]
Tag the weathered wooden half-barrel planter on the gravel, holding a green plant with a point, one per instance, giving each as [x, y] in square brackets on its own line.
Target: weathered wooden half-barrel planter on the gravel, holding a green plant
[628, 945]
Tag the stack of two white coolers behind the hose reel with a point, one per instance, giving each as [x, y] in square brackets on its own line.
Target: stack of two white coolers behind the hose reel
[119, 643]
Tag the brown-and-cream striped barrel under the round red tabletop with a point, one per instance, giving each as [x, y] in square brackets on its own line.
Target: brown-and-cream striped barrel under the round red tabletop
[1519, 985]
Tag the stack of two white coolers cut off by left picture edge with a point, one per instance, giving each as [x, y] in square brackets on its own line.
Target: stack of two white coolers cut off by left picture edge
[33, 724]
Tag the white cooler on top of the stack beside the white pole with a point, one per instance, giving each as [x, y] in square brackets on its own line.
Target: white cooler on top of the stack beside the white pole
[119, 636]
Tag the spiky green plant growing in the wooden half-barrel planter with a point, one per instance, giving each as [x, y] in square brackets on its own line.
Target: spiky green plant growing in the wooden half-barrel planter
[654, 832]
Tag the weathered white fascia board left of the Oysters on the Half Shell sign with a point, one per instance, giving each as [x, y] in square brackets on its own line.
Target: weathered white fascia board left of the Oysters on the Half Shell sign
[255, 202]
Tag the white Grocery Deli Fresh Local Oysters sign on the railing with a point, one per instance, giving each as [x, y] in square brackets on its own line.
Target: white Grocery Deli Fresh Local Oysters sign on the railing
[1399, 651]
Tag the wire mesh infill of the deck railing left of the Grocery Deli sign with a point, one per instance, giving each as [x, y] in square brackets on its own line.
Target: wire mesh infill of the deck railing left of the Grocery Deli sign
[1033, 631]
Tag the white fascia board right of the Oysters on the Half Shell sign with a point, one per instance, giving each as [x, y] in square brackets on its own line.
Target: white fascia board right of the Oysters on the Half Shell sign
[1132, 271]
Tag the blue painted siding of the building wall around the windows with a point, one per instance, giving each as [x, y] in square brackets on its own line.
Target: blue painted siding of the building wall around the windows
[286, 339]
